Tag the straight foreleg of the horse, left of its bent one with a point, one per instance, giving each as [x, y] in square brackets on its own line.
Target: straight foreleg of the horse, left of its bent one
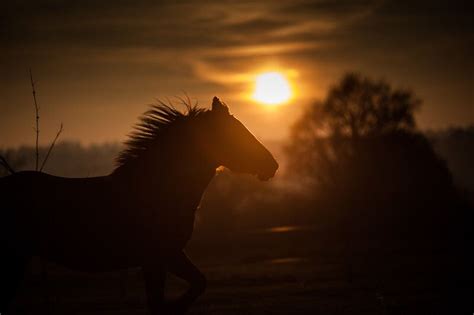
[155, 276]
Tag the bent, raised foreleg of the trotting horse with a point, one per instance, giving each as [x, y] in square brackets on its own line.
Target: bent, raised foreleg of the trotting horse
[181, 266]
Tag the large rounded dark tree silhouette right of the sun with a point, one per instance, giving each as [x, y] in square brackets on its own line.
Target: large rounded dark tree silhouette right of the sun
[360, 143]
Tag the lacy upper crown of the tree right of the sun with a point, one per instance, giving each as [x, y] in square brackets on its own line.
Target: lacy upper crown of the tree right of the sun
[359, 106]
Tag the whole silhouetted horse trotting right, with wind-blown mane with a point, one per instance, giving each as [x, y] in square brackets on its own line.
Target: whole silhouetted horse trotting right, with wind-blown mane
[140, 215]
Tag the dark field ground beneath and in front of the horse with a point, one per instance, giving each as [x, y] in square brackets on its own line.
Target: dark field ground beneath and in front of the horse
[279, 271]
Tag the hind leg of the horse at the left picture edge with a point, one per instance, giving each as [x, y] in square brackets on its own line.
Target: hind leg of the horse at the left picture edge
[12, 269]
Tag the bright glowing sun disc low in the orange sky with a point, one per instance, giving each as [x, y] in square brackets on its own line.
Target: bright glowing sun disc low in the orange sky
[272, 88]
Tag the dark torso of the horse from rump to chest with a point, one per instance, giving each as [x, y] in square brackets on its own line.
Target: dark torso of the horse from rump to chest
[97, 224]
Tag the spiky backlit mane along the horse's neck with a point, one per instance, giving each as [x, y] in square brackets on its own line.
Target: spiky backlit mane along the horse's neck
[151, 126]
